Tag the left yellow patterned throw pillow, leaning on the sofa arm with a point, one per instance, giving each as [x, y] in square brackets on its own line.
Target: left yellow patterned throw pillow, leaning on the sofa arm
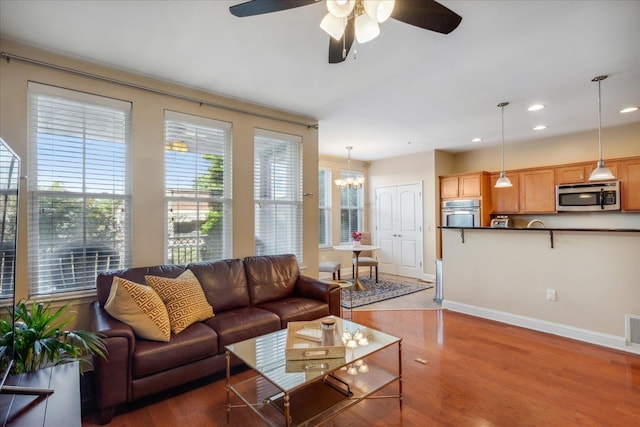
[140, 307]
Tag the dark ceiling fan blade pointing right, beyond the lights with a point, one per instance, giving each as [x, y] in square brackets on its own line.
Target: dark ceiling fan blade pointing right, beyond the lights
[427, 14]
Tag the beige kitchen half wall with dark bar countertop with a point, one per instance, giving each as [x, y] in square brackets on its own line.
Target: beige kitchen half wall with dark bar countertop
[506, 275]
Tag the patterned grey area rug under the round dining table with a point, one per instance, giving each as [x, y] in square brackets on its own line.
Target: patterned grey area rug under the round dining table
[383, 290]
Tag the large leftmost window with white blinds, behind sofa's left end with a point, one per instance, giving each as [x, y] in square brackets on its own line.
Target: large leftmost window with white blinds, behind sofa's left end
[79, 193]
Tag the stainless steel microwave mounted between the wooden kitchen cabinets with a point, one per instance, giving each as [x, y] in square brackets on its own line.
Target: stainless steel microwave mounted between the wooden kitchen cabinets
[593, 196]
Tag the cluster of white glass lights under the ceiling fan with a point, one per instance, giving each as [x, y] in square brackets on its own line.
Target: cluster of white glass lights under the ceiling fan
[367, 14]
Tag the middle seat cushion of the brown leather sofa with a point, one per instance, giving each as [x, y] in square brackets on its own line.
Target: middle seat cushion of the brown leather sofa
[243, 323]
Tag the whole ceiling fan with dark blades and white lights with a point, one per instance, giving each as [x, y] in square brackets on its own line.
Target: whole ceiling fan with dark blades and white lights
[343, 20]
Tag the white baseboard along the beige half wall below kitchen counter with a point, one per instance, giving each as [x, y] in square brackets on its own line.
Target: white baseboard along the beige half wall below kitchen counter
[585, 335]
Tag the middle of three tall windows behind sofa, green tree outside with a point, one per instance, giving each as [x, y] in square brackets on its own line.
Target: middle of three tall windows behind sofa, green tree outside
[197, 189]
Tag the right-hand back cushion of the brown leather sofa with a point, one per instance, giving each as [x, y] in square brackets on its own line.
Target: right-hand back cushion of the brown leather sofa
[271, 278]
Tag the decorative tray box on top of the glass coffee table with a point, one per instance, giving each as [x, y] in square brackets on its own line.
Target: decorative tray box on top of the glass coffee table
[318, 339]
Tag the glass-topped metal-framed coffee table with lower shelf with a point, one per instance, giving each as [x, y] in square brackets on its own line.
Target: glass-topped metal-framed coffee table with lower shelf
[310, 392]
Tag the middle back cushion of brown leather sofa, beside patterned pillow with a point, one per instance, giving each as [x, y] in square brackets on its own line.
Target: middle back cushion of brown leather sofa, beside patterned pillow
[223, 282]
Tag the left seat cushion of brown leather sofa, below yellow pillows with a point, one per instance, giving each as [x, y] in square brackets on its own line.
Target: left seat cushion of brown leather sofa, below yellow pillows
[196, 342]
